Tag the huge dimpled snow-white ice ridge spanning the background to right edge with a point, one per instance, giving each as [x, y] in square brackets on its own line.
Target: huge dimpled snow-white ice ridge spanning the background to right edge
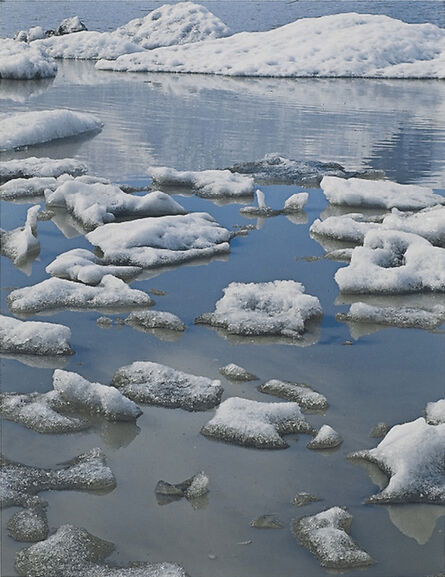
[339, 45]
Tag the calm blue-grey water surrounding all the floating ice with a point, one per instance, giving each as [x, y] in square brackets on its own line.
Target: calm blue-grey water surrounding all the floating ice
[196, 123]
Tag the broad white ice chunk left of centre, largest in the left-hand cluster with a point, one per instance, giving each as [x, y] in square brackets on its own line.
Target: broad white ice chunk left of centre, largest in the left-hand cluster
[162, 241]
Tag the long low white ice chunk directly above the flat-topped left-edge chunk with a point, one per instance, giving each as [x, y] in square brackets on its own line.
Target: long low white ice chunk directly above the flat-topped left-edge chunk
[55, 293]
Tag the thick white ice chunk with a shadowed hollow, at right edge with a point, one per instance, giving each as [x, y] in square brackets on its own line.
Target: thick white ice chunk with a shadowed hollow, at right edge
[393, 262]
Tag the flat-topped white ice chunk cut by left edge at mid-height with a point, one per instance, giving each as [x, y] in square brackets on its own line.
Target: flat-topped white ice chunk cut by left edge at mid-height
[33, 338]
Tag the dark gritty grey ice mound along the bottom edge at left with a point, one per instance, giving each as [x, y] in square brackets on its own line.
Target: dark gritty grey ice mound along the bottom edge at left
[72, 551]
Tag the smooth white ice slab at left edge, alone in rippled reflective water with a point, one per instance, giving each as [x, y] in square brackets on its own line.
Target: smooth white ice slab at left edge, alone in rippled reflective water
[36, 127]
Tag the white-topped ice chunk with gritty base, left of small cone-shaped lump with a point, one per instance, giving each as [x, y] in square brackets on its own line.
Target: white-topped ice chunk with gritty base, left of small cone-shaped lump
[255, 424]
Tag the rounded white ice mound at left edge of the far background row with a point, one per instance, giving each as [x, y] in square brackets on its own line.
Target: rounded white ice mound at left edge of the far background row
[19, 61]
